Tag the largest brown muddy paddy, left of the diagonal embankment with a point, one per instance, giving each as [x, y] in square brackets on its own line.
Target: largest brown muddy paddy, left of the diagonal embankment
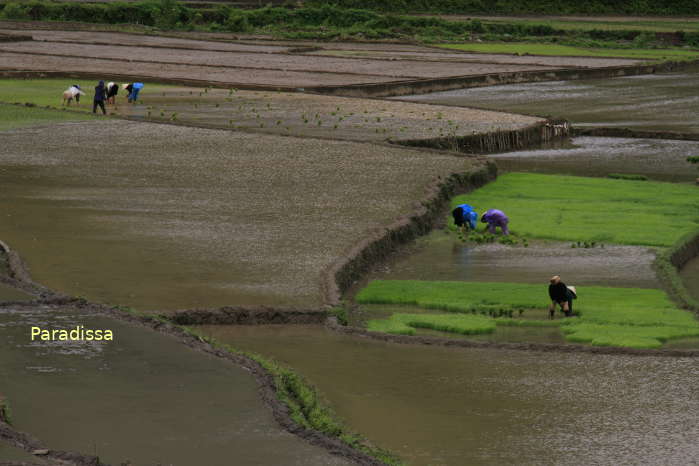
[165, 217]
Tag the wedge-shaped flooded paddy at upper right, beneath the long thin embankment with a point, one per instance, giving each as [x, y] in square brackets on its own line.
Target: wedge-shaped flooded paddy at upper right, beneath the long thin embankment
[662, 102]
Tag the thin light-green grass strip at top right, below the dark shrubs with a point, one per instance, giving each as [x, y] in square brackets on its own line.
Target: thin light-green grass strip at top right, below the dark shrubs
[532, 48]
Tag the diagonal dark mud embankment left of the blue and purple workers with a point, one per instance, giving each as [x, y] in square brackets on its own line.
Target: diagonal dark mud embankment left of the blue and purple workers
[344, 272]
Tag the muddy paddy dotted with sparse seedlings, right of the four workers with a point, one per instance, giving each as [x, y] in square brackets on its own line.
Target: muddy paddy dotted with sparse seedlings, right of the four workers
[318, 116]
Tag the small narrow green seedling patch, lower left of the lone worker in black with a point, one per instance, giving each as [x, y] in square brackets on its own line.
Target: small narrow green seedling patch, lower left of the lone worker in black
[405, 324]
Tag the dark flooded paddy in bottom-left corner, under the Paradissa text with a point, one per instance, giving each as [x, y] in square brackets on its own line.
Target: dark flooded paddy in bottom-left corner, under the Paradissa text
[143, 397]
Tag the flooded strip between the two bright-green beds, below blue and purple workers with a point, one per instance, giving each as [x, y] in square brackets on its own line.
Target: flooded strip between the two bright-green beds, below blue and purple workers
[441, 256]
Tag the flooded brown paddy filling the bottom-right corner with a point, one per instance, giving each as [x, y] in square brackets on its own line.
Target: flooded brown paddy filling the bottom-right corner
[456, 406]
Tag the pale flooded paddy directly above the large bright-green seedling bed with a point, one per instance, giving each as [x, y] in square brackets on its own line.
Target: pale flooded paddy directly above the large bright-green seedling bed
[657, 159]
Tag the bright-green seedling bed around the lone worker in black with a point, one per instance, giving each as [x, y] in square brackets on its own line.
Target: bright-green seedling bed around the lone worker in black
[631, 317]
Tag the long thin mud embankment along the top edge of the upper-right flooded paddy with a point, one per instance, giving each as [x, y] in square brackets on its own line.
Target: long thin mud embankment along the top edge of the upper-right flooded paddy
[425, 86]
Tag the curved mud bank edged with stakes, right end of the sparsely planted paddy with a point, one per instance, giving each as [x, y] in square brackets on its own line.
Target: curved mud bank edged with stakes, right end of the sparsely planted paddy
[498, 141]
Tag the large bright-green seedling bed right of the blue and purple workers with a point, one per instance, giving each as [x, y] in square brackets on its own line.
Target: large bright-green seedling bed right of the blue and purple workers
[570, 208]
